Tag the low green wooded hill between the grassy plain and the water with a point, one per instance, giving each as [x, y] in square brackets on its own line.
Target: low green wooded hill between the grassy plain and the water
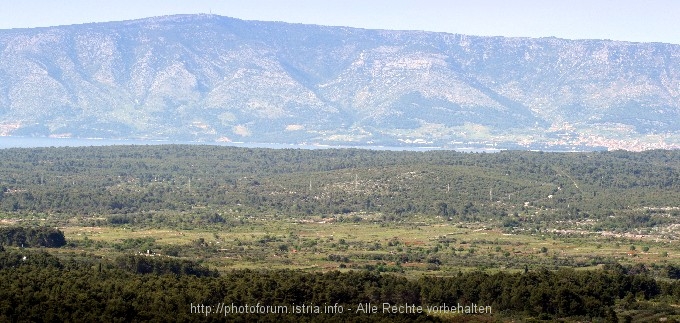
[220, 183]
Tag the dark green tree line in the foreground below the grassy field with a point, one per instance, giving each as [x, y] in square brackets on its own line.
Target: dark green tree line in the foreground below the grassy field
[38, 287]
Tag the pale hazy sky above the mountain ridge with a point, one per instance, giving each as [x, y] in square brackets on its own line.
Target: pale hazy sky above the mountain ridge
[630, 20]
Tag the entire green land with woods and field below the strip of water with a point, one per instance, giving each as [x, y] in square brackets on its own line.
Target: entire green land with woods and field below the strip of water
[576, 236]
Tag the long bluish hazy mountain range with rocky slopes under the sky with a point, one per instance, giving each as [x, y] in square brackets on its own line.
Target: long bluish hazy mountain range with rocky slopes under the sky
[211, 78]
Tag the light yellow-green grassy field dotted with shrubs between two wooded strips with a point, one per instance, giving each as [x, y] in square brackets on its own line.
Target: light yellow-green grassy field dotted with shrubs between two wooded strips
[421, 245]
